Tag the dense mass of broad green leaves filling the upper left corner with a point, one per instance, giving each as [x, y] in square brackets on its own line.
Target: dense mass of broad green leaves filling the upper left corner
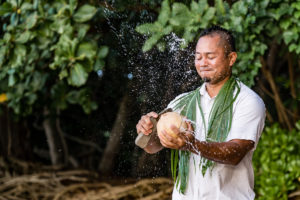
[46, 52]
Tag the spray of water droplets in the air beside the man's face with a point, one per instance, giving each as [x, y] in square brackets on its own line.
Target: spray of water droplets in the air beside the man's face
[158, 76]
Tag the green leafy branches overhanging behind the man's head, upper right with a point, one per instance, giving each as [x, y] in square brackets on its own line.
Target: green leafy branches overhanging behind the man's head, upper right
[254, 23]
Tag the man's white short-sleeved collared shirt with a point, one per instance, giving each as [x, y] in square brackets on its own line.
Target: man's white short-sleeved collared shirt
[226, 182]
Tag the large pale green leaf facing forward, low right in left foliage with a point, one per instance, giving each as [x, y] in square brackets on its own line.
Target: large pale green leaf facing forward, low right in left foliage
[78, 75]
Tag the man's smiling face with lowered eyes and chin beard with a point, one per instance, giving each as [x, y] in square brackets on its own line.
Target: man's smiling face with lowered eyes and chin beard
[211, 62]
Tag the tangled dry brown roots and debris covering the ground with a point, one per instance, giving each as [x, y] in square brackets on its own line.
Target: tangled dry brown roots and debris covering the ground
[73, 185]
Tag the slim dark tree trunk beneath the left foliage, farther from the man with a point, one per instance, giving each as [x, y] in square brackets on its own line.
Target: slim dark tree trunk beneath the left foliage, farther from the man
[56, 143]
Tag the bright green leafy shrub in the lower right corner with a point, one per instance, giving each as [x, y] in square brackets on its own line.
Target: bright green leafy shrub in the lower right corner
[276, 162]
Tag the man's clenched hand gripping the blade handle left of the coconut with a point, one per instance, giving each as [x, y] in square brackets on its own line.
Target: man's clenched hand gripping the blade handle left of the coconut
[145, 125]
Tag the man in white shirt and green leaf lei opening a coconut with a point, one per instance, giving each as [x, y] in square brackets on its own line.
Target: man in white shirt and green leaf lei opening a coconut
[229, 120]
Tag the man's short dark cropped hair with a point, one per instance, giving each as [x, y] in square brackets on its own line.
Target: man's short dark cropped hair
[224, 34]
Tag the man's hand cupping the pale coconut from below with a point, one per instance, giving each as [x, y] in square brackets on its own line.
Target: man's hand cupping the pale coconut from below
[184, 141]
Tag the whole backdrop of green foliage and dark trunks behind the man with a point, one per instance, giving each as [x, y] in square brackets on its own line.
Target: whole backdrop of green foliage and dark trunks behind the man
[76, 76]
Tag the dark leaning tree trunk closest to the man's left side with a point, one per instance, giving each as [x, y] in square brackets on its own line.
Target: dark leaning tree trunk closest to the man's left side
[113, 144]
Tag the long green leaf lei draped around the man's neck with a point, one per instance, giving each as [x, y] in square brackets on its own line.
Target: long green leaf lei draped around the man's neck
[219, 124]
